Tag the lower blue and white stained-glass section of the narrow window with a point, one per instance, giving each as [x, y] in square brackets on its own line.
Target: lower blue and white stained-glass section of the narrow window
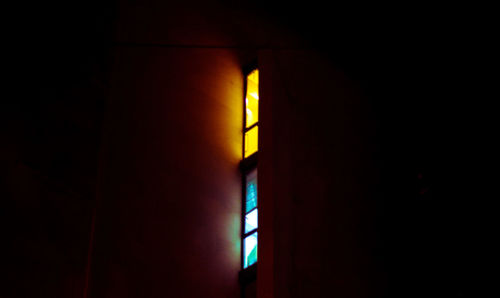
[251, 220]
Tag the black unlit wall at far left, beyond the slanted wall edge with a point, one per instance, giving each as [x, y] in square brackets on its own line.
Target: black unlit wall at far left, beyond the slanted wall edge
[56, 64]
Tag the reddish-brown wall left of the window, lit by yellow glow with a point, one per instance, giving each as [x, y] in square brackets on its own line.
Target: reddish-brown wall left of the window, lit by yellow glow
[169, 195]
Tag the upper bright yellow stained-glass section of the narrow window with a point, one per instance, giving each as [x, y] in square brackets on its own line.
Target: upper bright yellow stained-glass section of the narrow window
[252, 113]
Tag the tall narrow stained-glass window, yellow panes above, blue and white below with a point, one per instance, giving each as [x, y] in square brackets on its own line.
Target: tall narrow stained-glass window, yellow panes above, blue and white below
[250, 222]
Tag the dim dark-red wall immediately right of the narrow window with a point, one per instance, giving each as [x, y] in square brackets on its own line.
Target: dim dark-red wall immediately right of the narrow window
[317, 180]
